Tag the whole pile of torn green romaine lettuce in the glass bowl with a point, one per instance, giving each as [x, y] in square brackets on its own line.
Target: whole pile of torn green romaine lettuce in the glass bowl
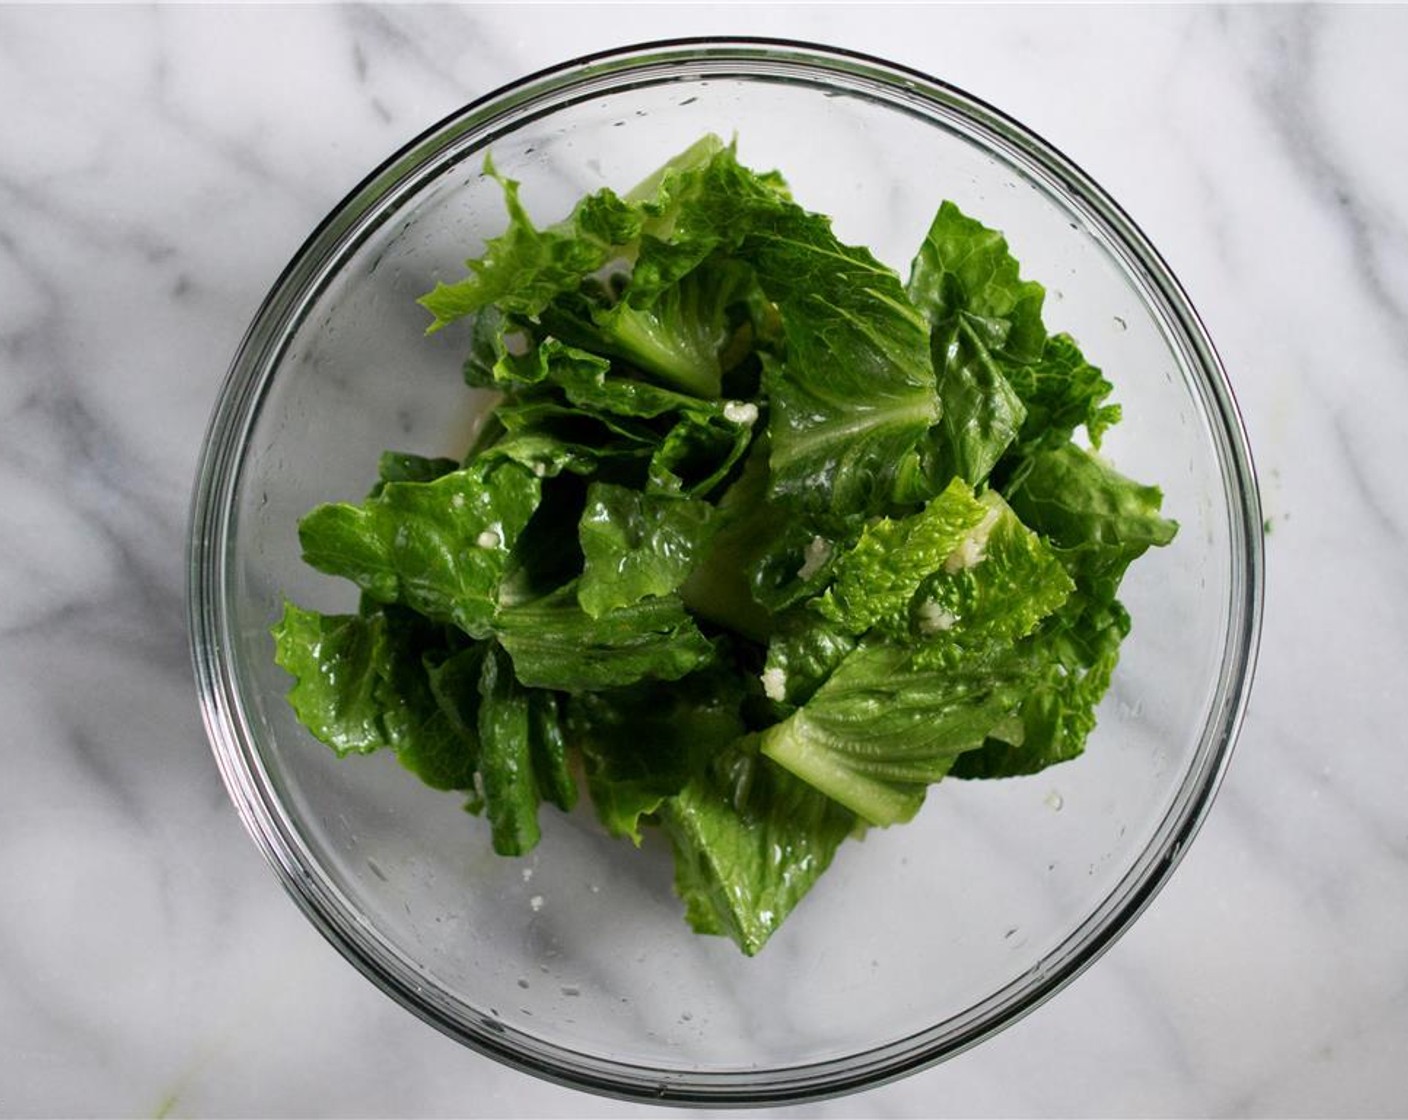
[760, 540]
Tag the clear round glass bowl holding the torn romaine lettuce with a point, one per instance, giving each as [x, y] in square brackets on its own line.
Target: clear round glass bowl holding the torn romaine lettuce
[575, 963]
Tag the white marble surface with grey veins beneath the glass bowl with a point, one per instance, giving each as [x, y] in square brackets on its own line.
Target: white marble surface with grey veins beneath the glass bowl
[158, 167]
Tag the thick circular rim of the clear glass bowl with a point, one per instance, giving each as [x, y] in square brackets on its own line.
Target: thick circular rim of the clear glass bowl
[209, 540]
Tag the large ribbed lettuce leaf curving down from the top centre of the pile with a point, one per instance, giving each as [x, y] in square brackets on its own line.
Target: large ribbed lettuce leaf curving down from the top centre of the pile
[857, 387]
